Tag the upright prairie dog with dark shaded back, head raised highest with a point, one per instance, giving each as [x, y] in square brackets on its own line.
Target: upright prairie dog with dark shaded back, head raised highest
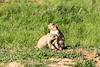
[54, 30]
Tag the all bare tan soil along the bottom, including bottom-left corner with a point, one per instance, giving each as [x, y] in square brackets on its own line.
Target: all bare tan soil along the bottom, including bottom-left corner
[64, 62]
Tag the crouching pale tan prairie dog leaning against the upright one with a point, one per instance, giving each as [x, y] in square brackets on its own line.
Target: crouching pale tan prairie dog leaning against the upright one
[45, 41]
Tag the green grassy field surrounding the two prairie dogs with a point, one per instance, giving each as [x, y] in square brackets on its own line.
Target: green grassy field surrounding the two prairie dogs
[23, 22]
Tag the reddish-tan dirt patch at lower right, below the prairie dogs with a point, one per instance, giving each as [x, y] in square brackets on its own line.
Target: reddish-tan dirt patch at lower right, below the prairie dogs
[65, 62]
